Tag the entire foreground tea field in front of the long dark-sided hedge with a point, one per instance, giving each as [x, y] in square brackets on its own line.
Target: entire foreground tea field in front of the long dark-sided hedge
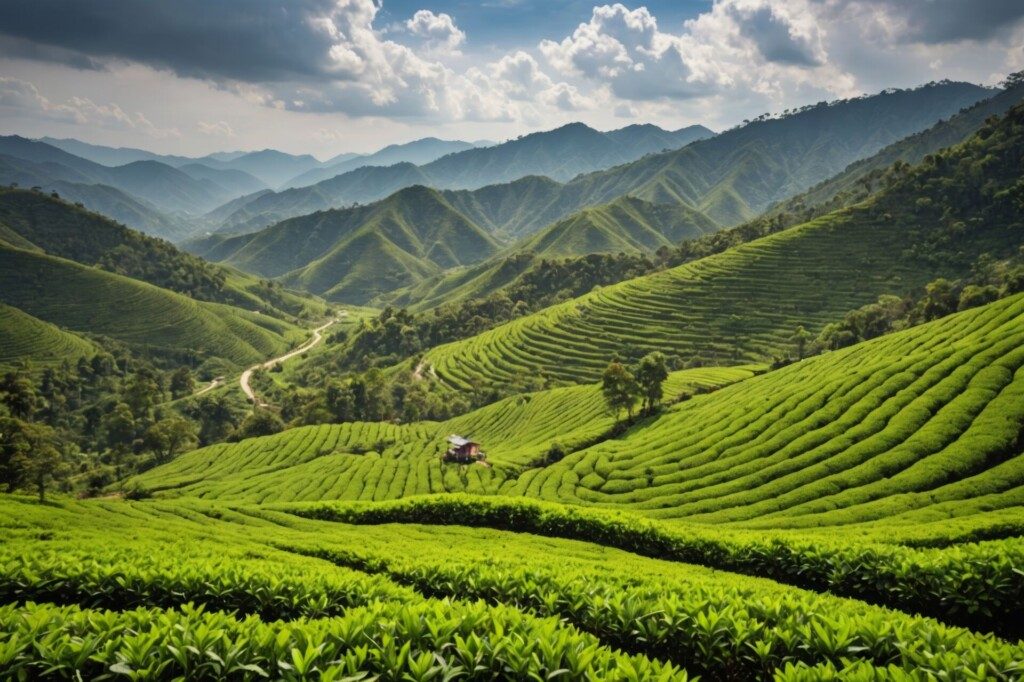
[209, 589]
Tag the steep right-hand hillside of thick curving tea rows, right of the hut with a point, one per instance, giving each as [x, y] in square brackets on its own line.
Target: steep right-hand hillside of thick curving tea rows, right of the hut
[925, 417]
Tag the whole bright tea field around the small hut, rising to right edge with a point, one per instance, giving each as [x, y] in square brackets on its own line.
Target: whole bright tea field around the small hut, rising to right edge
[909, 430]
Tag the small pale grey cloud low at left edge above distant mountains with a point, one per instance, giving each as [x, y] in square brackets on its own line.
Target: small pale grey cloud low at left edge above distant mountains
[24, 99]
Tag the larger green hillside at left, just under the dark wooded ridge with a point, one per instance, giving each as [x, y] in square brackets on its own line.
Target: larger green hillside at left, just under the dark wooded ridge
[87, 300]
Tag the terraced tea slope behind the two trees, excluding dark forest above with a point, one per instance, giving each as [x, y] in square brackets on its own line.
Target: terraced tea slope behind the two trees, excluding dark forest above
[739, 307]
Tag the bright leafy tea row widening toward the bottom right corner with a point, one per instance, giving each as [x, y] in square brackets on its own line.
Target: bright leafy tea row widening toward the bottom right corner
[716, 629]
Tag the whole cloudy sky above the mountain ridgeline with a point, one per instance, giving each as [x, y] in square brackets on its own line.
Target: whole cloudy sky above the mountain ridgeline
[324, 77]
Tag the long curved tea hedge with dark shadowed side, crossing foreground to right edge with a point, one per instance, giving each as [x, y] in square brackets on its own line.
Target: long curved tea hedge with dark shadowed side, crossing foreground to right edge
[979, 586]
